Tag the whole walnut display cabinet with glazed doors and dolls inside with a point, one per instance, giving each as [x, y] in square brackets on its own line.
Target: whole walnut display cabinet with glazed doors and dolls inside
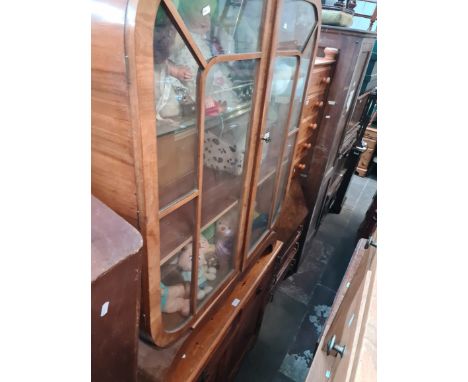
[196, 109]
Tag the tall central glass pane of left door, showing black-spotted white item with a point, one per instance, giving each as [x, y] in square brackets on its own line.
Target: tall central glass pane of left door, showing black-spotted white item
[228, 103]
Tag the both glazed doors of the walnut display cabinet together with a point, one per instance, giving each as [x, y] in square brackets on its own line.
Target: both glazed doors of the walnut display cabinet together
[208, 64]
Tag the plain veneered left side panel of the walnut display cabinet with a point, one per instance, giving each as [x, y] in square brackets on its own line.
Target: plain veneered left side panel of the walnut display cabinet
[112, 165]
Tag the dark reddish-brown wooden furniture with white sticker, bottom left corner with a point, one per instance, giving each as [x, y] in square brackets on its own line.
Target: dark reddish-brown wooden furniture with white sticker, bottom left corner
[115, 295]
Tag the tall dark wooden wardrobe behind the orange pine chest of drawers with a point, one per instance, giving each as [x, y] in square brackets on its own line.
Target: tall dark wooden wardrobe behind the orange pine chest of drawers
[331, 164]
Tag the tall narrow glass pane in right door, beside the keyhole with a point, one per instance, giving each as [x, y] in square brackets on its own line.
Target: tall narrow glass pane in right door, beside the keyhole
[279, 103]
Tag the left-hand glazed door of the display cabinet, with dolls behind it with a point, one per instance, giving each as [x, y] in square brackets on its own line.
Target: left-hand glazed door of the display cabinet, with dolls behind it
[202, 156]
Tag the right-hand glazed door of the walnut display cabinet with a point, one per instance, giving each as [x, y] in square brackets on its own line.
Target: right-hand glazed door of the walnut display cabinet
[296, 33]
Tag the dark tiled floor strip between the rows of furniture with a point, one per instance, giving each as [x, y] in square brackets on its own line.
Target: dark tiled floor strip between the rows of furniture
[294, 320]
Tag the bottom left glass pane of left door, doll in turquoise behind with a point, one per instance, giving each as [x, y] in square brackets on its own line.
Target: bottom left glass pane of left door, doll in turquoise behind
[176, 232]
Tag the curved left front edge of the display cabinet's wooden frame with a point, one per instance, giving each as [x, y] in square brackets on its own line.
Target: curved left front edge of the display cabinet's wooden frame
[139, 28]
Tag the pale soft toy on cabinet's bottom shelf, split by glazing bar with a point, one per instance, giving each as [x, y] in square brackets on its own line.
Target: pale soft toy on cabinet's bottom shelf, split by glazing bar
[185, 265]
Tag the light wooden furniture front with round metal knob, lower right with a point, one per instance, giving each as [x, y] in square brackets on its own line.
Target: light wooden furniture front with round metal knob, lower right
[336, 358]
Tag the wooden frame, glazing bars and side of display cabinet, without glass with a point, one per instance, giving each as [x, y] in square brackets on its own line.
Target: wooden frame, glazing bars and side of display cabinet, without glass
[124, 140]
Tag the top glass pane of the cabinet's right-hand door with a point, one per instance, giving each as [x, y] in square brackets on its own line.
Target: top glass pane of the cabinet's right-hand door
[298, 18]
